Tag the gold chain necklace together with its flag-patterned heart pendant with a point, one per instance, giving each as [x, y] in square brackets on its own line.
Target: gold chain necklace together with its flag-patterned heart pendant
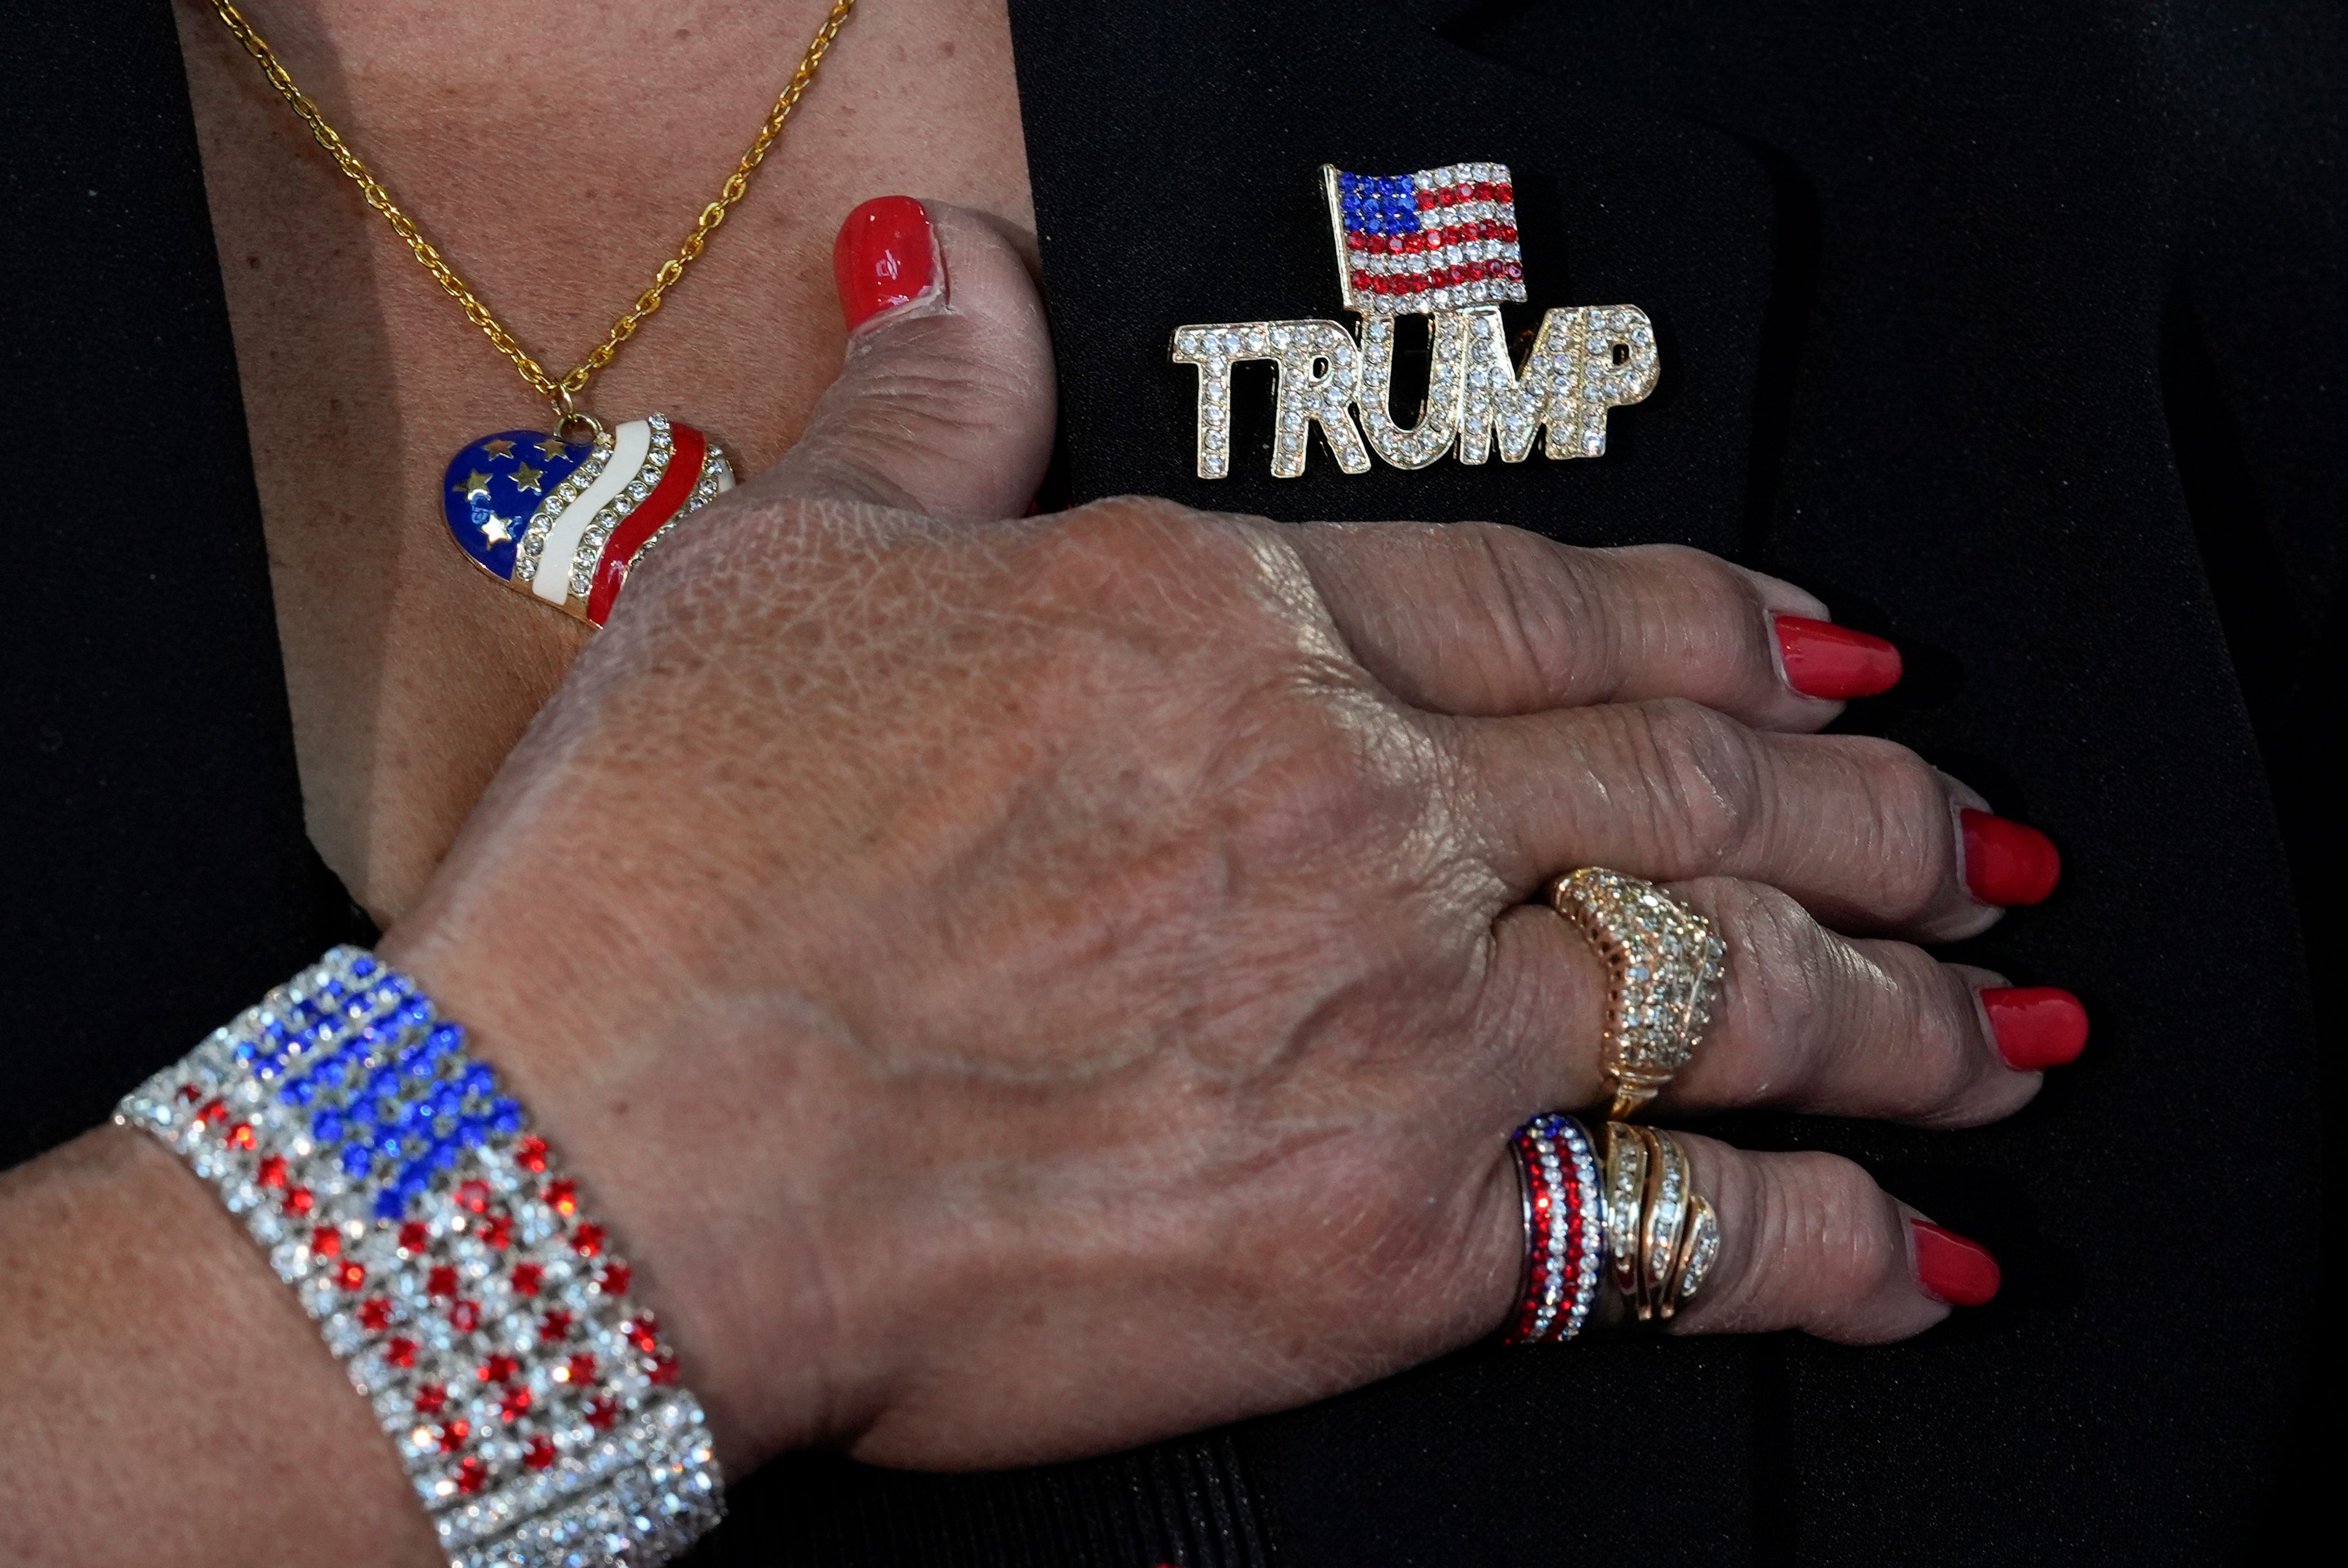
[567, 527]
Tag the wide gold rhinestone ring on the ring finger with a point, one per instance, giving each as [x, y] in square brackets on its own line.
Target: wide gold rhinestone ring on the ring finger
[1664, 966]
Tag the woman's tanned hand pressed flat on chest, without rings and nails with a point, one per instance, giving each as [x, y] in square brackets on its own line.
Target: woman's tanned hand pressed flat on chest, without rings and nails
[1030, 987]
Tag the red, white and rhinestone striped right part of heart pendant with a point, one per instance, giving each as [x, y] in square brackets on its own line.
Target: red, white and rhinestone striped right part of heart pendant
[640, 506]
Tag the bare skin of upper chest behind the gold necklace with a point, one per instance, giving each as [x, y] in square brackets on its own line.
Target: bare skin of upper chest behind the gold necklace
[555, 156]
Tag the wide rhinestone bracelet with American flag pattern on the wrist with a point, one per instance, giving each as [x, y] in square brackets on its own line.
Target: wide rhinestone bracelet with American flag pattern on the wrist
[452, 1271]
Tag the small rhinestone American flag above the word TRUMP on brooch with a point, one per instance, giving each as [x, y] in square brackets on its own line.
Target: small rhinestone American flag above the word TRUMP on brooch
[1429, 241]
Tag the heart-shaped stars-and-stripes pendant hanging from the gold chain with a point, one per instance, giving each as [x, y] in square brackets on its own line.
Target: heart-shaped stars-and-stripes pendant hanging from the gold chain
[567, 520]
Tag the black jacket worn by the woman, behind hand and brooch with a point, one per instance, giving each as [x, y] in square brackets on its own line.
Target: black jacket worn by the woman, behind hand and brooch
[2016, 332]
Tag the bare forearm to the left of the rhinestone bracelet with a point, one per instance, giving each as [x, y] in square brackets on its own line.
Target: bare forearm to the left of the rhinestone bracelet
[158, 1377]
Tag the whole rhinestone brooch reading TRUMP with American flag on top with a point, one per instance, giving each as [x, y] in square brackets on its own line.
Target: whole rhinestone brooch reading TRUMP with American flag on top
[1440, 243]
